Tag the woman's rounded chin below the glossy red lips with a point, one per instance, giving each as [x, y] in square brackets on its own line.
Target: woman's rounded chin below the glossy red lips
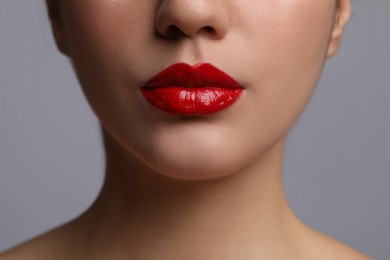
[200, 157]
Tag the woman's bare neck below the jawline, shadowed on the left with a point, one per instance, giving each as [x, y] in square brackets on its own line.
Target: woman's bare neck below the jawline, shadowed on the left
[139, 209]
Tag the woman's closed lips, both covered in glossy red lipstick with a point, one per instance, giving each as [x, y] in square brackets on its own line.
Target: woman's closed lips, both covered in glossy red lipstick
[187, 90]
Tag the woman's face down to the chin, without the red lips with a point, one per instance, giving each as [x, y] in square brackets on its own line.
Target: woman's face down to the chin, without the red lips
[275, 49]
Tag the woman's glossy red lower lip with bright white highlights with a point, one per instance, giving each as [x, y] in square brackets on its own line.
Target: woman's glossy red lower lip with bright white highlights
[191, 101]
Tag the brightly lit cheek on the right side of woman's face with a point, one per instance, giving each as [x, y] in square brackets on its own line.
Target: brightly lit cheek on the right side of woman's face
[290, 46]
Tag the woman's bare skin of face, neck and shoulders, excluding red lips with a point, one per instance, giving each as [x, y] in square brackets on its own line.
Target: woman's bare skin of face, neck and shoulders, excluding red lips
[206, 187]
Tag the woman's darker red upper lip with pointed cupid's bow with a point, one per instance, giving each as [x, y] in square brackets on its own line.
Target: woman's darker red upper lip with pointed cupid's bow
[199, 75]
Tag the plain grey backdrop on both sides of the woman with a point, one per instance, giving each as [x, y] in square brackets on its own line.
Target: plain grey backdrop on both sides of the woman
[337, 166]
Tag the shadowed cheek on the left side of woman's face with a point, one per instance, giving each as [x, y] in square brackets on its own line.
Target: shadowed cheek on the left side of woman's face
[107, 42]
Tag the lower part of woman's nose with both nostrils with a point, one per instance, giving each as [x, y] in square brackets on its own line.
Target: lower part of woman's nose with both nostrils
[188, 18]
